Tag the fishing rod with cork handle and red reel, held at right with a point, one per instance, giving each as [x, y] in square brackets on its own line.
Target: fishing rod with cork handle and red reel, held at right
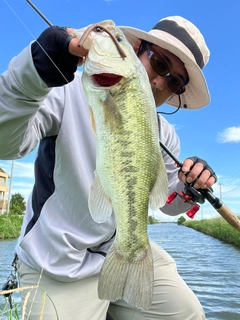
[202, 194]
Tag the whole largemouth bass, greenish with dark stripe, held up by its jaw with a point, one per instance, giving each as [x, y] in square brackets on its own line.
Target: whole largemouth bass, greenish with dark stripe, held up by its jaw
[130, 173]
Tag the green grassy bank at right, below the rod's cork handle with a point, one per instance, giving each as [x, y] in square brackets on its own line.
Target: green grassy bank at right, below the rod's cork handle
[217, 228]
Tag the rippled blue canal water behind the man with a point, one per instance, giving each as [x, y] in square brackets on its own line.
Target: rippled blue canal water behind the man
[210, 267]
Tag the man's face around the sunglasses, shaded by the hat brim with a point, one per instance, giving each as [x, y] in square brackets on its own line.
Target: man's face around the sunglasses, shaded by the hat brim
[159, 84]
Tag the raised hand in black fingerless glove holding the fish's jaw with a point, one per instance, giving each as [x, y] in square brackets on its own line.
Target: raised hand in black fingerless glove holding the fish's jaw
[56, 56]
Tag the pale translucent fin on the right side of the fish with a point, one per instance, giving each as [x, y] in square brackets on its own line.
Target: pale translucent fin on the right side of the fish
[159, 193]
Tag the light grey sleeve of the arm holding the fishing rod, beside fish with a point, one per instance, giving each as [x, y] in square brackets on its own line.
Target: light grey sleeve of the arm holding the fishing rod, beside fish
[169, 138]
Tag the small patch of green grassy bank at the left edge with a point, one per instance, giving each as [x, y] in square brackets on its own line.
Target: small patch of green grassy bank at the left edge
[10, 226]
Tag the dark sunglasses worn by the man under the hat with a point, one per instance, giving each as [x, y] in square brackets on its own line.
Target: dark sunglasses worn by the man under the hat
[161, 67]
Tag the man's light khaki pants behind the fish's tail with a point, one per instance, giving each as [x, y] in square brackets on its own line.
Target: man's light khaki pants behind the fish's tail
[78, 300]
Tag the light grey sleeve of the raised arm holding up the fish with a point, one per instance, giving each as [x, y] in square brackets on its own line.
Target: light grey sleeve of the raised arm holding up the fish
[24, 116]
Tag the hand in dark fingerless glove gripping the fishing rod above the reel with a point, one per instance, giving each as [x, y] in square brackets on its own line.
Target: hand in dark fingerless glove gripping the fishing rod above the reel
[197, 171]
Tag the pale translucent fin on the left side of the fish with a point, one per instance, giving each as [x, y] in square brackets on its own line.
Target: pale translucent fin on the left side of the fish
[100, 206]
